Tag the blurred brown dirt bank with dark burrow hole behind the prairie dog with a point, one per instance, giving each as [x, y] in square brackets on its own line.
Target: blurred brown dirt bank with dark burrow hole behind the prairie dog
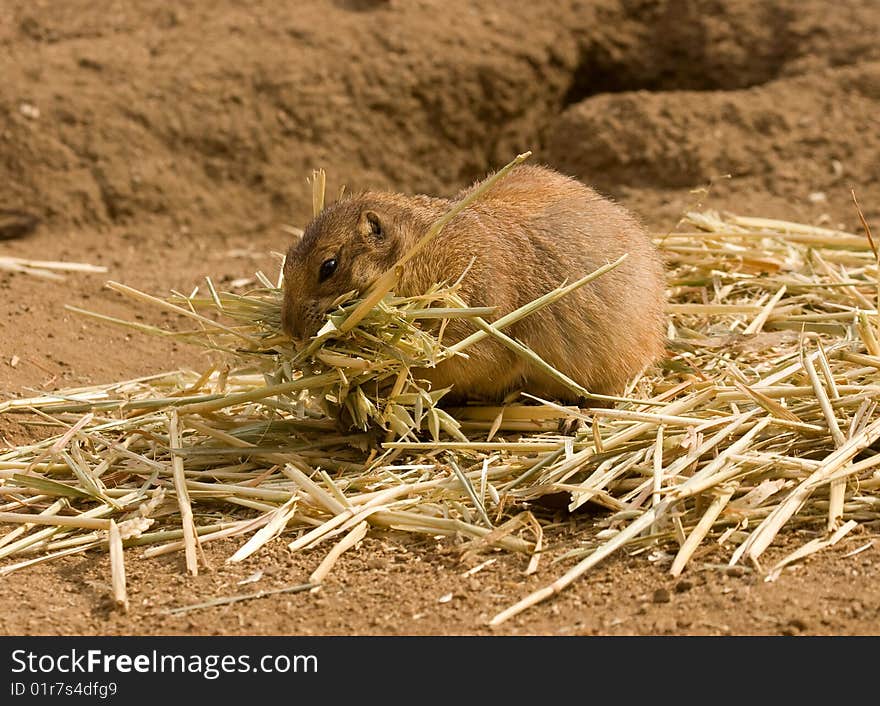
[211, 114]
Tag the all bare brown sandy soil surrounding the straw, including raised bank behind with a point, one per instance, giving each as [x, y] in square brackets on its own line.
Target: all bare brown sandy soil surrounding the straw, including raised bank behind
[172, 143]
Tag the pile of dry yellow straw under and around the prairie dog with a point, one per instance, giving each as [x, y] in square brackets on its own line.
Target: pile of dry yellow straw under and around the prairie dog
[760, 419]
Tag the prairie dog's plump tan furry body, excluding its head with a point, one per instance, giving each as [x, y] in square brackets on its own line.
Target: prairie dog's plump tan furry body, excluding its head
[533, 231]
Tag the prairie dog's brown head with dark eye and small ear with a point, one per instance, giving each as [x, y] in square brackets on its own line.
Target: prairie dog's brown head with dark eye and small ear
[345, 248]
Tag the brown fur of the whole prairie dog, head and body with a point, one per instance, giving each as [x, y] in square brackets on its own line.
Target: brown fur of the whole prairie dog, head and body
[530, 233]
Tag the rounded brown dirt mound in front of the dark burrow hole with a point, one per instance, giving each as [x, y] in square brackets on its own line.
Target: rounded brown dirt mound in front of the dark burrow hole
[811, 132]
